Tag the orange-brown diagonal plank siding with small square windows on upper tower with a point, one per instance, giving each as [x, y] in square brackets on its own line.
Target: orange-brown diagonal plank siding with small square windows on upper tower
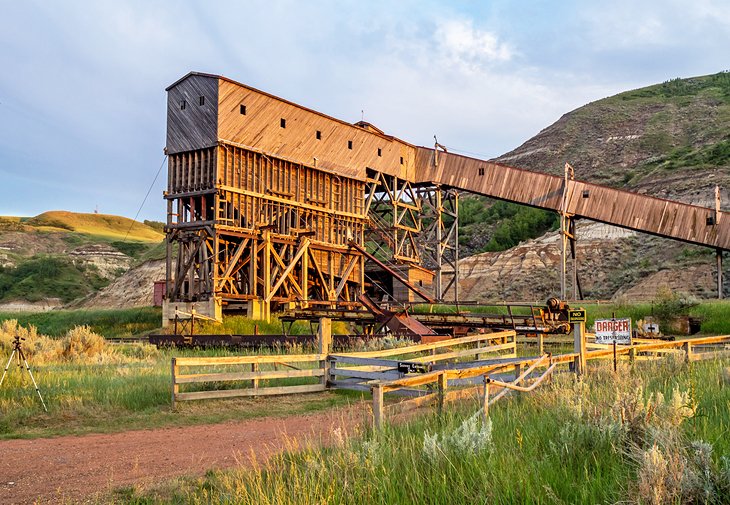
[260, 129]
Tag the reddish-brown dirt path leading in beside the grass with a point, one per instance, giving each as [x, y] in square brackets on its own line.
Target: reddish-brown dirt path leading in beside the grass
[78, 467]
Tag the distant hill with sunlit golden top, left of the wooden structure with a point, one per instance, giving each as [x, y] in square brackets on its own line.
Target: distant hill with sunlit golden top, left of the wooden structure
[60, 257]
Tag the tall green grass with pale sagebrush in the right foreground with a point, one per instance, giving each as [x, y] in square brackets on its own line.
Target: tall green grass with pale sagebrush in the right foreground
[655, 433]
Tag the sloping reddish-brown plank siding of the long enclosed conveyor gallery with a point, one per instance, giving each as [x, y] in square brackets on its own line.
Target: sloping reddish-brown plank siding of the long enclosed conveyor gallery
[642, 213]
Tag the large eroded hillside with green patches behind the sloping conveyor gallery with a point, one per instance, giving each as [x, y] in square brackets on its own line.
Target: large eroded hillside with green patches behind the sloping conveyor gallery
[669, 140]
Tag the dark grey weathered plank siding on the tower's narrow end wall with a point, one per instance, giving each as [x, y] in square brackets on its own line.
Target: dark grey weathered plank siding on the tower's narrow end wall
[195, 126]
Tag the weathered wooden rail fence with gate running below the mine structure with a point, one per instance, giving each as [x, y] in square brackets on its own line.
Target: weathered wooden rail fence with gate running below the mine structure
[423, 371]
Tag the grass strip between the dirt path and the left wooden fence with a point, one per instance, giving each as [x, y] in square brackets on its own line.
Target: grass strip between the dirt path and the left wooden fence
[122, 388]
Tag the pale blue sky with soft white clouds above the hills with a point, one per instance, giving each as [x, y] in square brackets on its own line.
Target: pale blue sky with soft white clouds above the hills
[82, 83]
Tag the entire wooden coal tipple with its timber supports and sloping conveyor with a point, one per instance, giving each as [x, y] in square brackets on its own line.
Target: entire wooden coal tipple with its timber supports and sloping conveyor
[273, 205]
